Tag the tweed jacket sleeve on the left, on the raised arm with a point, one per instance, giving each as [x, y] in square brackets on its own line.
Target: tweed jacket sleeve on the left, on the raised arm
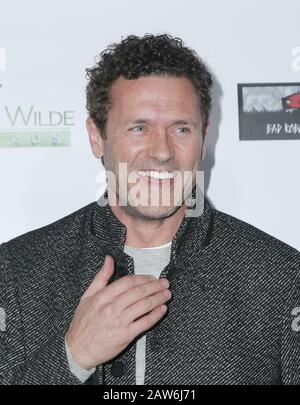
[49, 364]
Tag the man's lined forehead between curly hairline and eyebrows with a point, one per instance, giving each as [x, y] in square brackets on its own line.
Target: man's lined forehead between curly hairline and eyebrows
[154, 95]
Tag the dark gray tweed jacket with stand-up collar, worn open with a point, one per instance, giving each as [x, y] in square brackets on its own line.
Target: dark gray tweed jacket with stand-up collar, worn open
[229, 321]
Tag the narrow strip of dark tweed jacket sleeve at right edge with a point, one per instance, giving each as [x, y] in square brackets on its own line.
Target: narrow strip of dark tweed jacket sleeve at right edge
[290, 355]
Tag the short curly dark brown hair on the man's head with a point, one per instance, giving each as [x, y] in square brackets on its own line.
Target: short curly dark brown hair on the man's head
[134, 57]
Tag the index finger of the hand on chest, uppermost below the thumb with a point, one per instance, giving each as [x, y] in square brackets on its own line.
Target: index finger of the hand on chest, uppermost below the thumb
[118, 287]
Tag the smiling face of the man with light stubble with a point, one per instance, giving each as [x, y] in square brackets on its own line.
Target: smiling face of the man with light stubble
[154, 125]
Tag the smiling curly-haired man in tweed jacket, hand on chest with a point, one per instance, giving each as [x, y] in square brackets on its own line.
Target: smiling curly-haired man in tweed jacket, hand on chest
[121, 292]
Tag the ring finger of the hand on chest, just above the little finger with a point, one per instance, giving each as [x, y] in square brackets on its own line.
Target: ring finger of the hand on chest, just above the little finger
[145, 306]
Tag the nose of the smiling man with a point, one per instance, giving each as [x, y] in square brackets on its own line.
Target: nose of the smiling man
[160, 147]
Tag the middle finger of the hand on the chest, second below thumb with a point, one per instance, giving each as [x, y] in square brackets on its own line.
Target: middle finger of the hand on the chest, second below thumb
[139, 292]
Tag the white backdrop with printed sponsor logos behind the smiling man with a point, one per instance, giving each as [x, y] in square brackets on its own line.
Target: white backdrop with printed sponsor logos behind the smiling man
[45, 47]
